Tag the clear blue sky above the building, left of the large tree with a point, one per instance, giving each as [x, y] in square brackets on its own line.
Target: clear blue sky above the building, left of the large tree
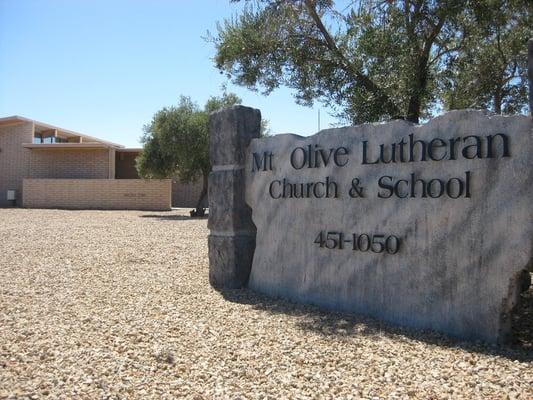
[103, 68]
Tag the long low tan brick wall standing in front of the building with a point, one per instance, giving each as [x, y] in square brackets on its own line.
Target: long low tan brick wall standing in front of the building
[107, 194]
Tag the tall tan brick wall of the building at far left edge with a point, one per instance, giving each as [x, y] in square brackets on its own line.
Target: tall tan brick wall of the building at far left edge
[14, 159]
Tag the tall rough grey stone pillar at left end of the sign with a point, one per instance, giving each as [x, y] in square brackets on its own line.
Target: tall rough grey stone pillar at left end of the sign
[232, 233]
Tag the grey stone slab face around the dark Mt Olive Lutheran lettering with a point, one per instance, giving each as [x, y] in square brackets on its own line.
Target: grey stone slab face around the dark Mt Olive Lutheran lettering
[461, 260]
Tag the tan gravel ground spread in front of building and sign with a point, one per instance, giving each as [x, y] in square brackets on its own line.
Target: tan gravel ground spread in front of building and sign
[106, 304]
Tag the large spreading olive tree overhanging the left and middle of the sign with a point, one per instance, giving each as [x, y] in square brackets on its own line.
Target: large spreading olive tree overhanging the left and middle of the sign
[372, 61]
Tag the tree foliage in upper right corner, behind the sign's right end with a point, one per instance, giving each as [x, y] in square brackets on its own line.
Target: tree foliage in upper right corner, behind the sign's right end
[491, 71]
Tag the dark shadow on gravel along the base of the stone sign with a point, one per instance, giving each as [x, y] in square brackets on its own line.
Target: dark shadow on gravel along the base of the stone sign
[328, 323]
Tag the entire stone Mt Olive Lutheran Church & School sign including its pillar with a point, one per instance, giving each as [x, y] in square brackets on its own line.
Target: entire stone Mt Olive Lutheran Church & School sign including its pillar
[428, 226]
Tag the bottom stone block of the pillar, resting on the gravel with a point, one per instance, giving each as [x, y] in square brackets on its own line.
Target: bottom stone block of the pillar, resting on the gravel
[230, 259]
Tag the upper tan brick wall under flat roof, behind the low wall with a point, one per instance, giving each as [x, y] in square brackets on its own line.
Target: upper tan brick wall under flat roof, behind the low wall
[69, 163]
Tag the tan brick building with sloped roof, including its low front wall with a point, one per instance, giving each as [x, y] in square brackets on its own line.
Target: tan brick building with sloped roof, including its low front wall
[44, 166]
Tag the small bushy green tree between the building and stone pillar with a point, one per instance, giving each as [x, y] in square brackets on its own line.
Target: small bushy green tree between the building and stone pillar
[176, 143]
